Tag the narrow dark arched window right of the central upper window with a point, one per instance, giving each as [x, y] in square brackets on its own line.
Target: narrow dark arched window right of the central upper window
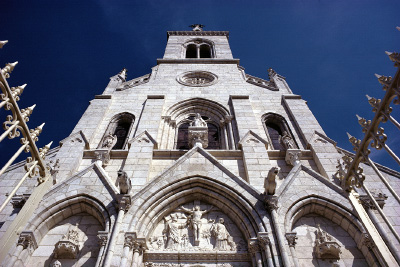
[276, 127]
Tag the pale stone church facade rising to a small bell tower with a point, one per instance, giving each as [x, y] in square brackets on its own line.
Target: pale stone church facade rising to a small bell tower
[199, 164]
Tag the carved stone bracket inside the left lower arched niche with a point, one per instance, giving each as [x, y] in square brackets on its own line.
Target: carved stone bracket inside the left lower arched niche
[68, 246]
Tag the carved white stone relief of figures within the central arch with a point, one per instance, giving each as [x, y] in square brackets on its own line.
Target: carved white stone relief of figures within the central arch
[197, 227]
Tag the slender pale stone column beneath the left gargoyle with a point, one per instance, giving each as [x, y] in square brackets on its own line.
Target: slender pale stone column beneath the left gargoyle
[124, 205]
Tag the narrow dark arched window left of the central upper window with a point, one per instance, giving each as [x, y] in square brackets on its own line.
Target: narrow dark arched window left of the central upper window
[120, 127]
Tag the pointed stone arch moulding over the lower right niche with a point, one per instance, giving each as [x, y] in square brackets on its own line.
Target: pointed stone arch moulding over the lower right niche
[335, 213]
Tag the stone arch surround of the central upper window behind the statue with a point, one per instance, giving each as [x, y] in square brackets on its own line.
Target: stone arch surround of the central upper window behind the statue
[178, 116]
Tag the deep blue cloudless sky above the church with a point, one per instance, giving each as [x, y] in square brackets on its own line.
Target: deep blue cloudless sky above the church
[327, 50]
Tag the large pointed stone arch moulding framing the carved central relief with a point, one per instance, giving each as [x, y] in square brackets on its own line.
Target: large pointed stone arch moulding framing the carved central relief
[162, 200]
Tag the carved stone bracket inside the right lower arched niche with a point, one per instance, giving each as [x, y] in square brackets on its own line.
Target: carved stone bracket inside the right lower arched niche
[325, 246]
